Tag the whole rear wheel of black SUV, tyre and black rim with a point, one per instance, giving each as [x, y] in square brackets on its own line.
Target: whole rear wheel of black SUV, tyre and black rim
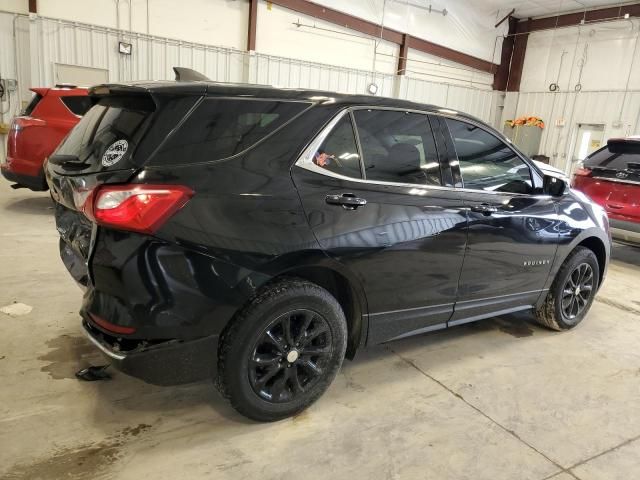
[294, 335]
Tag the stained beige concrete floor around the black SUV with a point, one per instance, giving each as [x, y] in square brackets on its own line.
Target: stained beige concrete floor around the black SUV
[500, 399]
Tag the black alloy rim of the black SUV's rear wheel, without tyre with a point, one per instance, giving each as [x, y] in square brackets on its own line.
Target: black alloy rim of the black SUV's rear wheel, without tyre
[290, 356]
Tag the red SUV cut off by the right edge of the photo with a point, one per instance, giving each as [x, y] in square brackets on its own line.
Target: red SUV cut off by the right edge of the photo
[611, 177]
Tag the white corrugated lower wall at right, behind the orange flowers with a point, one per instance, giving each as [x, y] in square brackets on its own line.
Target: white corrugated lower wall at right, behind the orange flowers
[572, 108]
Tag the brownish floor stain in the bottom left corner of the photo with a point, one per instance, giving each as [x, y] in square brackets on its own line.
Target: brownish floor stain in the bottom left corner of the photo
[83, 462]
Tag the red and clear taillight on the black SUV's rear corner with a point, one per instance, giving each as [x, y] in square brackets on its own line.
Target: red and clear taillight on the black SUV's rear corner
[139, 208]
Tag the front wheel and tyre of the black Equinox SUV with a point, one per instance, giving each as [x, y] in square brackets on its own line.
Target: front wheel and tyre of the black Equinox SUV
[572, 292]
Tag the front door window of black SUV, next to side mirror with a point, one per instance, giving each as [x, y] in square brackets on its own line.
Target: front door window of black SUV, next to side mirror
[486, 162]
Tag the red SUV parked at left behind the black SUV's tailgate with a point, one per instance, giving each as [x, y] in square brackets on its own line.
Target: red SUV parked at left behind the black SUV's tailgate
[35, 134]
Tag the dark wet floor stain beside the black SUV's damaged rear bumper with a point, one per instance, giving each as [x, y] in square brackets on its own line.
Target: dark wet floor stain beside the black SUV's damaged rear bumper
[68, 354]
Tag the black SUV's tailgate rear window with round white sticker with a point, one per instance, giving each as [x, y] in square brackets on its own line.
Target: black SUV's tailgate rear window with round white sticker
[112, 119]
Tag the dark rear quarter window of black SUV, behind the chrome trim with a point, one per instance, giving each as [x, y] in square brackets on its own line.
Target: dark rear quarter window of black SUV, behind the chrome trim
[221, 128]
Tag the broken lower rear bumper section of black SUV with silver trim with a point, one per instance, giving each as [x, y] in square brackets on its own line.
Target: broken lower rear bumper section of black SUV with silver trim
[171, 362]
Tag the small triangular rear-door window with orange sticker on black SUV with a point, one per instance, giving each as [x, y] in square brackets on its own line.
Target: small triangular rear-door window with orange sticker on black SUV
[339, 152]
